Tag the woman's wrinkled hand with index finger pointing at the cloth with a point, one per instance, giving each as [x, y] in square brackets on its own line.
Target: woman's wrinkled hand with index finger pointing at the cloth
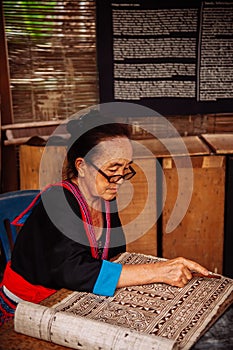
[178, 272]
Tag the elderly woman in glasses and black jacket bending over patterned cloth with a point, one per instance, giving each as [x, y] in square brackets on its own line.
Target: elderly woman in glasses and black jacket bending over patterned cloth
[72, 234]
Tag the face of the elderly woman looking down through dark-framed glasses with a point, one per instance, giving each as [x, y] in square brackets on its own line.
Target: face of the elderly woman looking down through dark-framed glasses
[113, 157]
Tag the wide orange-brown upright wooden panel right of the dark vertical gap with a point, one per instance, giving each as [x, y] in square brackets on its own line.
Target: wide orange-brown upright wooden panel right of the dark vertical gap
[200, 234]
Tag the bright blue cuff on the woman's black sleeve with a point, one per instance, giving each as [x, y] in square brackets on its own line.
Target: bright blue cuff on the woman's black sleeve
[108, 278]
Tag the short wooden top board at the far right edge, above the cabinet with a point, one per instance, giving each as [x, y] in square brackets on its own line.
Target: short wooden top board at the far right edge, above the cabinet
[219, 143]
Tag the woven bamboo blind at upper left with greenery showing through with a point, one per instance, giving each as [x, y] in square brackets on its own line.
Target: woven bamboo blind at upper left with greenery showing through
[52, 58]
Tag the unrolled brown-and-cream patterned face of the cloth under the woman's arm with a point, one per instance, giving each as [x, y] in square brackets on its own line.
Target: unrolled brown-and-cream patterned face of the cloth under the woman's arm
[180, 314]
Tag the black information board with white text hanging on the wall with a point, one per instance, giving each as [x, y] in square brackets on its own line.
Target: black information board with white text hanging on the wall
[173, 56]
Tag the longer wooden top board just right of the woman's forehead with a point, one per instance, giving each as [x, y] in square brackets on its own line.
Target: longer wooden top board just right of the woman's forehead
[191, 145]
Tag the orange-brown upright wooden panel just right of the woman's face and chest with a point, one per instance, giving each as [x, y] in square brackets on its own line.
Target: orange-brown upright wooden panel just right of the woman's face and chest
[137, 208]
